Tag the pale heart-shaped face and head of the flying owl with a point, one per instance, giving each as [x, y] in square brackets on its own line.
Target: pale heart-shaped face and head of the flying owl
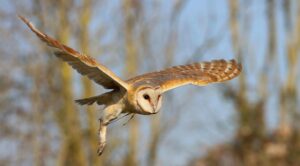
[148, 99]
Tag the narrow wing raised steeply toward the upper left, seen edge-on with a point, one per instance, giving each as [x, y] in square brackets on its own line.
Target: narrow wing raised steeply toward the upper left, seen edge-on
[84, 64]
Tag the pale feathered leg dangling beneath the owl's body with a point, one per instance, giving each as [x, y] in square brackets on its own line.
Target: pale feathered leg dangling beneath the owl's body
[109, 115]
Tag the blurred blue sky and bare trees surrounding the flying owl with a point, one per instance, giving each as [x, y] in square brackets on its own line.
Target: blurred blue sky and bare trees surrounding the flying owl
[251, 120]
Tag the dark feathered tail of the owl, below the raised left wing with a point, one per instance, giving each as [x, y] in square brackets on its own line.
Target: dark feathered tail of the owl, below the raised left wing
[100, 99]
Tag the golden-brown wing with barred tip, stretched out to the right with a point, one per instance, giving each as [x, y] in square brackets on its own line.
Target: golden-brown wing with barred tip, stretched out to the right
[200, 74]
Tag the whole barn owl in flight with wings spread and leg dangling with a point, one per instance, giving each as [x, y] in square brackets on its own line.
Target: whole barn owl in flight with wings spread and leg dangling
[141, 94]
